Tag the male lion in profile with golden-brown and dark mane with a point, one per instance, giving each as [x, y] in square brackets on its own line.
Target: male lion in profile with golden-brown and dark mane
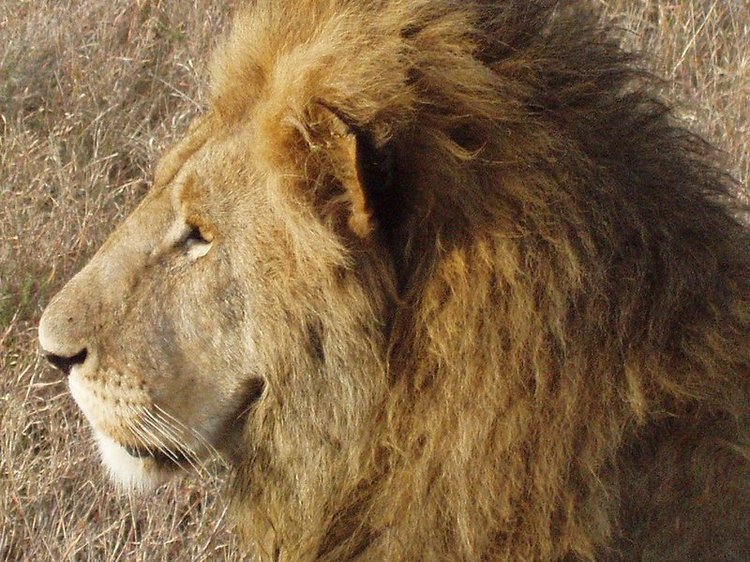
[445, 280]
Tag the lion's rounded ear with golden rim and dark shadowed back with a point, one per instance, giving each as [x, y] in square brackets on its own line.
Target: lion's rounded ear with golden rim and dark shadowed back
[363, 168]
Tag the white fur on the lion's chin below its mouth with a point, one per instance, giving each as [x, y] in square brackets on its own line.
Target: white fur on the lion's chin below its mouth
[130, 474]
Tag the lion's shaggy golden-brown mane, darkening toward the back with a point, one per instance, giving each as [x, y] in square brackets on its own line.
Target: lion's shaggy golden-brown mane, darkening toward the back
[557, 357]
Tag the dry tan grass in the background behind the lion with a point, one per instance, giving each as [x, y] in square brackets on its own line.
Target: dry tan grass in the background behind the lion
[90, 92]
